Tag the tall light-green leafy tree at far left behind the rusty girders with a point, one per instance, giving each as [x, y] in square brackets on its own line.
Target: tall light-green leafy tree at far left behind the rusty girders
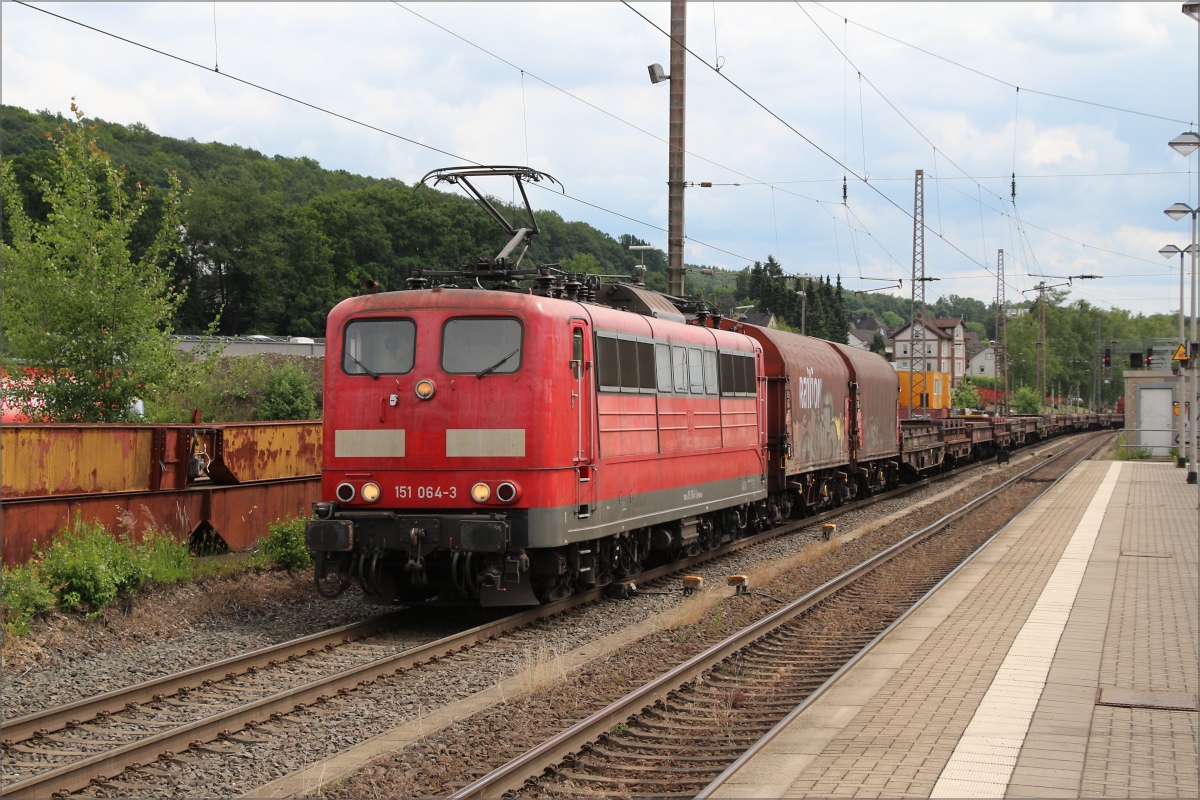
[86, 323]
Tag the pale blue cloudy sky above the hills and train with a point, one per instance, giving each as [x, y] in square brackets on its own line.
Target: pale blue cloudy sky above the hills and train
[806, 95]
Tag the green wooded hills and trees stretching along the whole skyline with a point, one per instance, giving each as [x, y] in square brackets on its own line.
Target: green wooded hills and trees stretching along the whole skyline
[274, 243]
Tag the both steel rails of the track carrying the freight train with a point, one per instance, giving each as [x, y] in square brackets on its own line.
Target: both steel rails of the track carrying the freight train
[80, 774]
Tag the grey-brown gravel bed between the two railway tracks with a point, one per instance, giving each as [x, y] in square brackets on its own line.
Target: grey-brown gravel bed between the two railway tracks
[302, 739]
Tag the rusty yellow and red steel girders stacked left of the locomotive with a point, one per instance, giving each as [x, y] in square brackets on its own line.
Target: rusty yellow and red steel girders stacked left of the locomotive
[233, 479]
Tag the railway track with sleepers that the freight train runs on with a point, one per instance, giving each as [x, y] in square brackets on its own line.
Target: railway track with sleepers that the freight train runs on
[67, 749]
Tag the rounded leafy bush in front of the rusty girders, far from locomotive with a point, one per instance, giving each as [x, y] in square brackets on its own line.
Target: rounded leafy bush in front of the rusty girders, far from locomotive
[87, 564]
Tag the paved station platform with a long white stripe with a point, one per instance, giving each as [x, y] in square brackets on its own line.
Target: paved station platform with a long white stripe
[1061, 661]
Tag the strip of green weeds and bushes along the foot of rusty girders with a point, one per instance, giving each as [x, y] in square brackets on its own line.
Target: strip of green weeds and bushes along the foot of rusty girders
[87, 568]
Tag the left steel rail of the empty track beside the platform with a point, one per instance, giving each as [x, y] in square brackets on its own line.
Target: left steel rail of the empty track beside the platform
[514, 774]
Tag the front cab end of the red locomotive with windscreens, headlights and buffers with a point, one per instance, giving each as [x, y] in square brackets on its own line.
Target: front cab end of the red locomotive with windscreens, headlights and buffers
[449, 412]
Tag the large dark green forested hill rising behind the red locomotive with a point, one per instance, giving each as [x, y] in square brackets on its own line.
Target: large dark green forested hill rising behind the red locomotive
[278, 242]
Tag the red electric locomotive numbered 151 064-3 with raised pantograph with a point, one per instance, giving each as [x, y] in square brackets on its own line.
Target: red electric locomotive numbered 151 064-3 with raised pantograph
[509, 447]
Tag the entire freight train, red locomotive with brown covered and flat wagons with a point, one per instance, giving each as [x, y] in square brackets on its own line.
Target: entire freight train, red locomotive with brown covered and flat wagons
[554, 432]
